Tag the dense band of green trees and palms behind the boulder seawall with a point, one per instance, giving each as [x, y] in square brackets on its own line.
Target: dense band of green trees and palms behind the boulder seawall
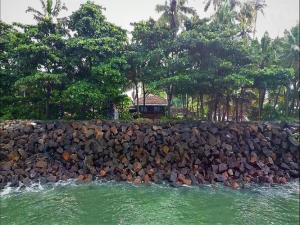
[77, 67]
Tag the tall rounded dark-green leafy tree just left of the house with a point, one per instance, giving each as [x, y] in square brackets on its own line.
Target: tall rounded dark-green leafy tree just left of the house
[94, 61]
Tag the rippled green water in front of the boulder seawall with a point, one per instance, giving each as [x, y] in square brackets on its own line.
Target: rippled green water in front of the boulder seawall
[112, 203]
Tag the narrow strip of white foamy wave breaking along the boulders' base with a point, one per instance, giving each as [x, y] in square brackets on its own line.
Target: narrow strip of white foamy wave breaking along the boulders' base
[286, 190]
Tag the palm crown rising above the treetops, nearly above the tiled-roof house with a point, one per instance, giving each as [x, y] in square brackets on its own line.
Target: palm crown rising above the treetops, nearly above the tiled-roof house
[174, 13]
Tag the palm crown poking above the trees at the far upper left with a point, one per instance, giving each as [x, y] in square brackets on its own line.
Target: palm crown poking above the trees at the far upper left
[49, 10]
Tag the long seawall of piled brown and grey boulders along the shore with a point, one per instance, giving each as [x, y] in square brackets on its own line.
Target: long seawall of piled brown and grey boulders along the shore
[179, 153]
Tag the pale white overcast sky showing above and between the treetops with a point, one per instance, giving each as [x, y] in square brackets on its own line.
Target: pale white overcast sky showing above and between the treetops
[278, 16]
